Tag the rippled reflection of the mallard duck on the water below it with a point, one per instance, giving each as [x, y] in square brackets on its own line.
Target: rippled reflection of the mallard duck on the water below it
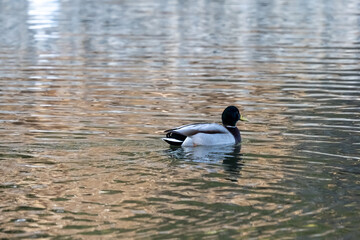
[229, 156]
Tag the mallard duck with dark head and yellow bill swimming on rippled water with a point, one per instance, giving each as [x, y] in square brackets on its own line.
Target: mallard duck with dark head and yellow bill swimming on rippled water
[208, 134]
